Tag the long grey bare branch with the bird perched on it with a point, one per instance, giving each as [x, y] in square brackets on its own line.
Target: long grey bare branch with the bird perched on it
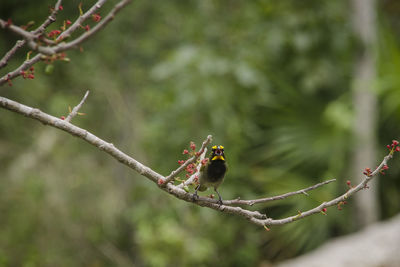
[178, 191]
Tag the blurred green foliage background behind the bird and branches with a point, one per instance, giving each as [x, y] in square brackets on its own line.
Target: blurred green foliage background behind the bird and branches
[273, 81]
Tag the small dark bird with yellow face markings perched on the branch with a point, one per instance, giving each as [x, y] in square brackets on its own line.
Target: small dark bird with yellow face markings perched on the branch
[213, 172]
